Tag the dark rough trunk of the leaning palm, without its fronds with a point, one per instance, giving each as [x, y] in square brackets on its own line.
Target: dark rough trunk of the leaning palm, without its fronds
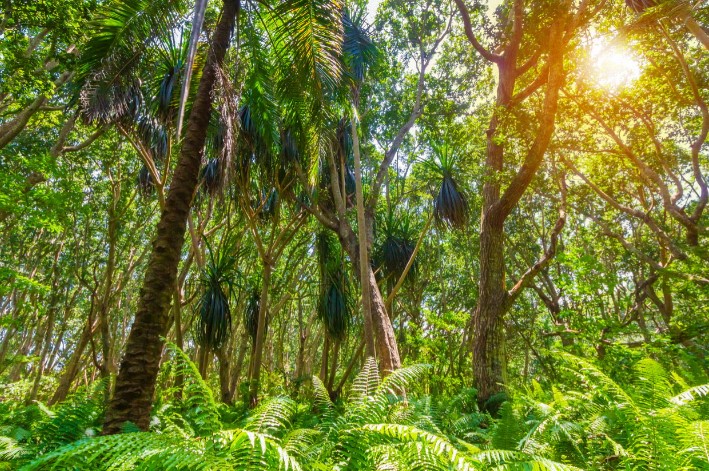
[136, 380]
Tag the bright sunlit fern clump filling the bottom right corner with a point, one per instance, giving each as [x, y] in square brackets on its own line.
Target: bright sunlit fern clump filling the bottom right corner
[638, 426]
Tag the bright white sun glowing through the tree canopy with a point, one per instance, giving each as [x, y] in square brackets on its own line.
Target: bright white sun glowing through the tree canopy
[612, 67]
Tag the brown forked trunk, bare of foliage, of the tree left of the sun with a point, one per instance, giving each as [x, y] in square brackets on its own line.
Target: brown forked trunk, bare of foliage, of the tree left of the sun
[489, 363]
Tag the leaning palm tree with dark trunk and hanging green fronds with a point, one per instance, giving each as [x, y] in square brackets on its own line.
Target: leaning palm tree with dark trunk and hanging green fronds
[123, 31]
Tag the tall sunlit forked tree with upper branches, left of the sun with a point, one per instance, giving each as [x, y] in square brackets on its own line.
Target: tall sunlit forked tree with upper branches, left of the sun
[516, 60]
